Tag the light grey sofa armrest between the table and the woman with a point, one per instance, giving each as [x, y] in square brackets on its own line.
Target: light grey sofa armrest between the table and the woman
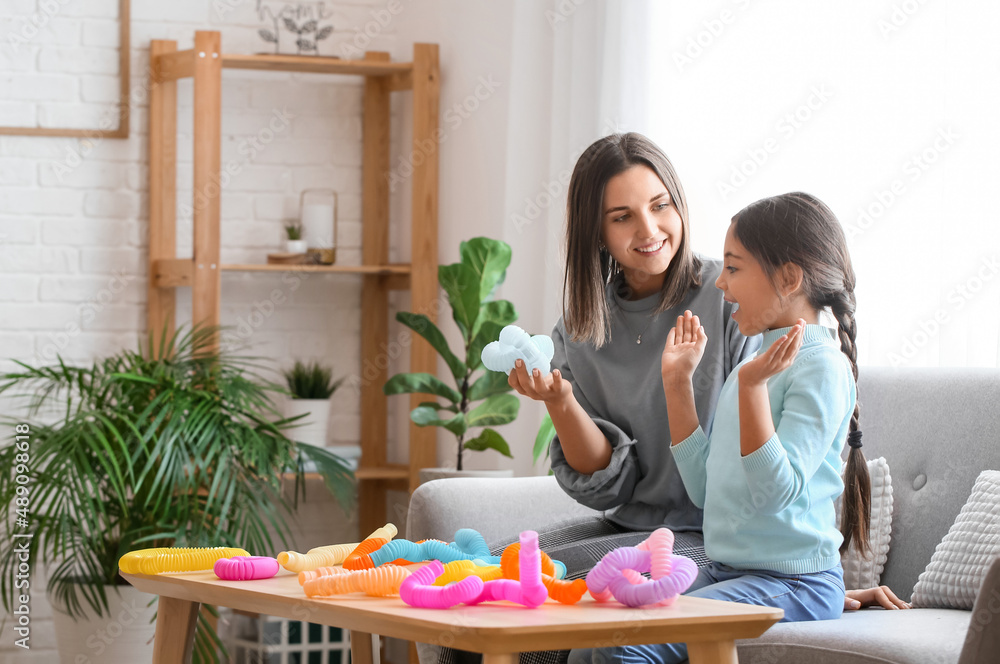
[497, 508]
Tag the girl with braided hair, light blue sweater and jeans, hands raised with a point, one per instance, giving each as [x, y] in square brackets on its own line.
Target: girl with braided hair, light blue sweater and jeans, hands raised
[768, 475]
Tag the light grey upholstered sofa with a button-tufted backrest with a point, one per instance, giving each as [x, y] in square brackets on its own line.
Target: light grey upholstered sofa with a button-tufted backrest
[937, 428]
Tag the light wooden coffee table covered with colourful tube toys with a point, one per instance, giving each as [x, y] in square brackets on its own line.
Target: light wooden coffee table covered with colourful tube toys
[499, 630]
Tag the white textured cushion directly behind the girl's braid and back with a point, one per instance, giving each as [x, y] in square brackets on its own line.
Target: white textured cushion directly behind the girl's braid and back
[862, 571]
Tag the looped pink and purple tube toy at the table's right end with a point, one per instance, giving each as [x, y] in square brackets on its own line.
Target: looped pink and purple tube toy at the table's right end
[618, 573]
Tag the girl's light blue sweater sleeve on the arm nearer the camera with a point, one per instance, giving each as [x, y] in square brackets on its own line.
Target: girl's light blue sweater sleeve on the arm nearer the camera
[817, 407]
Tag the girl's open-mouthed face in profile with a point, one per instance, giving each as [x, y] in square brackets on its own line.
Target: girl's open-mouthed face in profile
[744, 282]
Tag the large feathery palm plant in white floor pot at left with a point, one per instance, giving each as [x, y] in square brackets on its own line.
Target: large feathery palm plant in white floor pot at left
[172, 445]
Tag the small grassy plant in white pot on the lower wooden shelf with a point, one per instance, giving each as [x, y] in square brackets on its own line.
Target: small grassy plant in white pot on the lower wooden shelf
[310, 386]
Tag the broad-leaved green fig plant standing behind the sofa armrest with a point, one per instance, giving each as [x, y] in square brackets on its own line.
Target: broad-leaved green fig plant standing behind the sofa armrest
[479, 398]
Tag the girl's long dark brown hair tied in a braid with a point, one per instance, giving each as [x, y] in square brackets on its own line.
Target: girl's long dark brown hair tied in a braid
[800, 229]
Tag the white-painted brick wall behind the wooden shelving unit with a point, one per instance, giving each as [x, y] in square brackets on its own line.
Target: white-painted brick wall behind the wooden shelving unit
[74, 218]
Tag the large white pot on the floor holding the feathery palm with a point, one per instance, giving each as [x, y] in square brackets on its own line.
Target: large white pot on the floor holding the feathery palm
[125, 634]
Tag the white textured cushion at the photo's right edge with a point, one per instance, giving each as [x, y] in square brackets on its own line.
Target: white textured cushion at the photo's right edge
[959, 564]
